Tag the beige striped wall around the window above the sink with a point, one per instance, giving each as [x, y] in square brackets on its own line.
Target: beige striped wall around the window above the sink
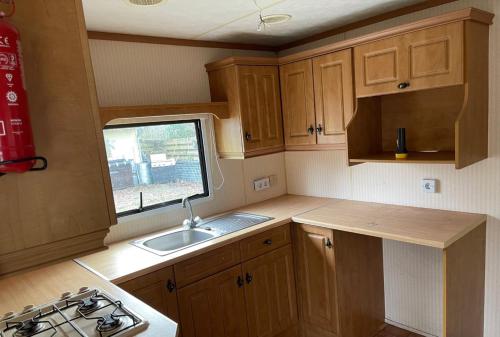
[136, 73]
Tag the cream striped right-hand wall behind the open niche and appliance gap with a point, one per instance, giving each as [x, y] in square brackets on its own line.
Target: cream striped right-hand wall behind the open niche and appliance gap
[412, 273]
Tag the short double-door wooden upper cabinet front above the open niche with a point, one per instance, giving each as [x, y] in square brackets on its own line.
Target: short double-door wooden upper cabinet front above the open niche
[424, 59]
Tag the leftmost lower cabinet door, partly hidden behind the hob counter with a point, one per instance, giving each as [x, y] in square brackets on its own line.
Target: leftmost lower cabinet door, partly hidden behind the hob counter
[157, 290]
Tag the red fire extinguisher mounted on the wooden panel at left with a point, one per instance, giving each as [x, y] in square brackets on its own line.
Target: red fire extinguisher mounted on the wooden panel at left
[17, 151]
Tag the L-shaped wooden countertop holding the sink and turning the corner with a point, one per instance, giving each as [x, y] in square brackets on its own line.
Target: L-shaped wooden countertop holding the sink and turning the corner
[422, 226]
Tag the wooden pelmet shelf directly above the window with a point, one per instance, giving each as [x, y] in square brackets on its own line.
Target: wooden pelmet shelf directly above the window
[219, 109]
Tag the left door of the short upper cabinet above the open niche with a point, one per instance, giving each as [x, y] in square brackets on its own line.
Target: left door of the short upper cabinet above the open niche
[378, 67]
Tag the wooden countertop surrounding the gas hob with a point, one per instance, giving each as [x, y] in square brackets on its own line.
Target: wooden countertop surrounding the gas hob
[46, 284]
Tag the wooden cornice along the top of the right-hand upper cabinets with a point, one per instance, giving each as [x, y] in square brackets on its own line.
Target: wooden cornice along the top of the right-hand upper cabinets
[472, 14]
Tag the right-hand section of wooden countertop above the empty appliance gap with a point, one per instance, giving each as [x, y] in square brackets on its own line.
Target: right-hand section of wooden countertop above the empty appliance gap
[421, 226]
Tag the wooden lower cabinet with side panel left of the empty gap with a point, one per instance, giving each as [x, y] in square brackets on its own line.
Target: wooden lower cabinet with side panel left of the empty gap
[340, 282]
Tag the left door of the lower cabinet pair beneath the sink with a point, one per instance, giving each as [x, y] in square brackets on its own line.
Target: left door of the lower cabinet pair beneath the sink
[214, 307]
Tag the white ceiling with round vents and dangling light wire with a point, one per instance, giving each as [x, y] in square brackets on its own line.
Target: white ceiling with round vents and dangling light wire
[231, 20]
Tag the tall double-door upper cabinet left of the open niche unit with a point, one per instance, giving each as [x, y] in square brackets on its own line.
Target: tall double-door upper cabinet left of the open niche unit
[318, 101]
